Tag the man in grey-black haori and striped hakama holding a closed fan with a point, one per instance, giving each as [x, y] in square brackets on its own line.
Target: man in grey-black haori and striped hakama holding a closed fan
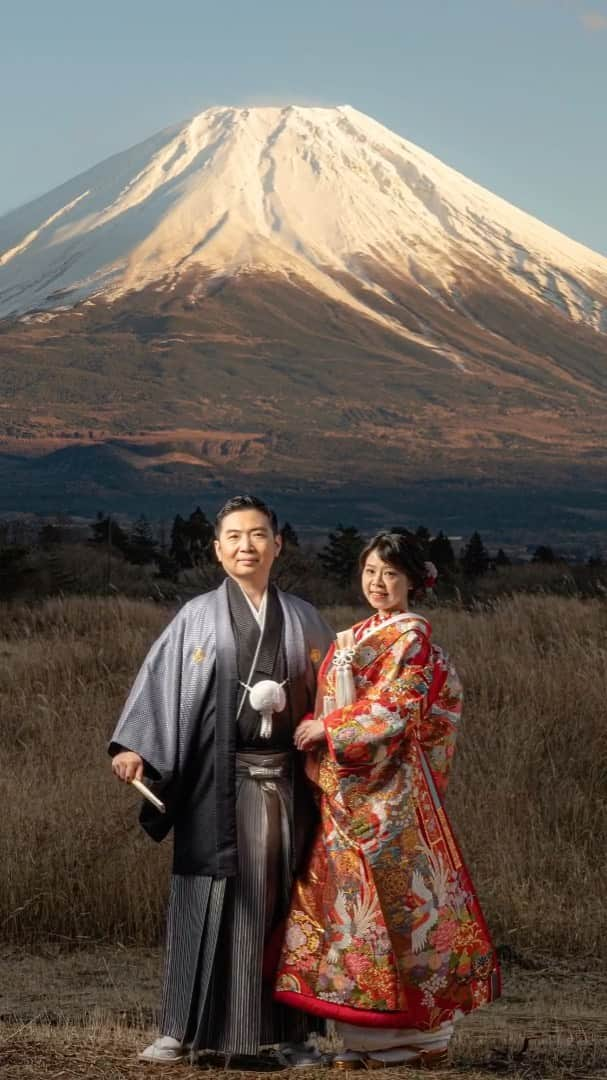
[233, 787]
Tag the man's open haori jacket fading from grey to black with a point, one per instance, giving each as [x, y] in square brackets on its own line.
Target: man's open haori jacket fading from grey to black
[181, 718]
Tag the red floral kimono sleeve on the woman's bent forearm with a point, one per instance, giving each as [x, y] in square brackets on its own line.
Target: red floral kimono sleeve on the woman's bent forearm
[389, 703]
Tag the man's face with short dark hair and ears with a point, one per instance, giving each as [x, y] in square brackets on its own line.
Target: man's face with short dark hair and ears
[247, 547]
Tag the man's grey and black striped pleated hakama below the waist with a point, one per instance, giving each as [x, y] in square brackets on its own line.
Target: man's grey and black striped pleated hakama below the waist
[214, 995]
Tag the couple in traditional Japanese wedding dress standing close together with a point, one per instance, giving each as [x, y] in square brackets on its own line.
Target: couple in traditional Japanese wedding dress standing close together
[316, 875]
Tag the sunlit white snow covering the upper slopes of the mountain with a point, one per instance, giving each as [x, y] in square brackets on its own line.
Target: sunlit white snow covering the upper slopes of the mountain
[325, 196]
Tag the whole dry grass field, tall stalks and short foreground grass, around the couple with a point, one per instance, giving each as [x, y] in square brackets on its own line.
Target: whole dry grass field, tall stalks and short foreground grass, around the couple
[83, 894]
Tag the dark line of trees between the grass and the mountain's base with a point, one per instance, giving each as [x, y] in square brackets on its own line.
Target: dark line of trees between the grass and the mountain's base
[183, 553]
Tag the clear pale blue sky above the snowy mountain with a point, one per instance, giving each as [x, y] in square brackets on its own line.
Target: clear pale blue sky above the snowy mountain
[514, 93]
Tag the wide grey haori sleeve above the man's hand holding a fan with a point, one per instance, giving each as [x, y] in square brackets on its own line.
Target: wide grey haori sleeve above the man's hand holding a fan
[150, 723]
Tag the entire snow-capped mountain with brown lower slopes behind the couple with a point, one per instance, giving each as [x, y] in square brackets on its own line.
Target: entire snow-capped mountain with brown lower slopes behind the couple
[299, 300]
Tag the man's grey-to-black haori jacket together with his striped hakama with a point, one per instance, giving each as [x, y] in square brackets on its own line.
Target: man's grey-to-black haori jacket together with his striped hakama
[181, 718]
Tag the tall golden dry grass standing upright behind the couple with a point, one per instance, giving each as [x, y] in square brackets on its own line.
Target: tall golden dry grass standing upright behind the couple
[529, 794]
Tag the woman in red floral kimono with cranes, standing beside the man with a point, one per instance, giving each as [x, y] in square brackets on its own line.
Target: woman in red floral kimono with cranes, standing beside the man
[385, 935]
